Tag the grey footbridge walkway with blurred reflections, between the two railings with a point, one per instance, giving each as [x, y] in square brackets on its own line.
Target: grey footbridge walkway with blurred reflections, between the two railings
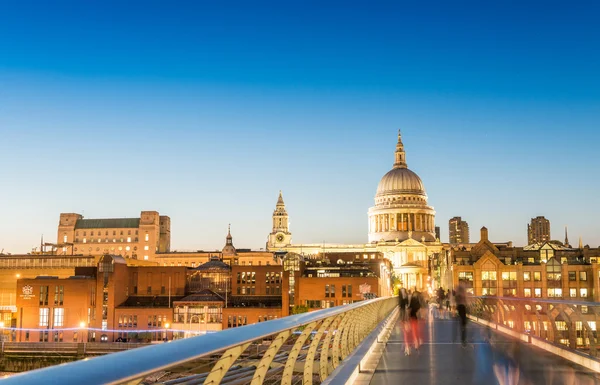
[496, 360]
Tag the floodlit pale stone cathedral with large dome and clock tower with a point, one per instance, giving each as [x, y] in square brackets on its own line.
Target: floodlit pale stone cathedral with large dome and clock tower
[401, 227]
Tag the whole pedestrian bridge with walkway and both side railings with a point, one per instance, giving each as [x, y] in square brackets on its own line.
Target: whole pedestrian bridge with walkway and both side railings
[509, 341]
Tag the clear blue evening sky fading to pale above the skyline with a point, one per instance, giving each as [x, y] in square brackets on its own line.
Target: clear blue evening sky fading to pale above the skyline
[203, 111]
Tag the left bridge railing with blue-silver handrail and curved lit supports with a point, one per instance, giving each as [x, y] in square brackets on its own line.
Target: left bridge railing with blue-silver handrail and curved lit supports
[303, 348]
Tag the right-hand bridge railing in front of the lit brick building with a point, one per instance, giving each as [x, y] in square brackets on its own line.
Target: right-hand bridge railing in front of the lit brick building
[569, 324]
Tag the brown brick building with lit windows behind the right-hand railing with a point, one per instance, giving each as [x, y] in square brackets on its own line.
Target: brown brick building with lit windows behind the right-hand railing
[542, 270]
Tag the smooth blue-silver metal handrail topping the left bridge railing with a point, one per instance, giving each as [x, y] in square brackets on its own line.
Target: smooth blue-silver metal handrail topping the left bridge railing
[135, 364]
